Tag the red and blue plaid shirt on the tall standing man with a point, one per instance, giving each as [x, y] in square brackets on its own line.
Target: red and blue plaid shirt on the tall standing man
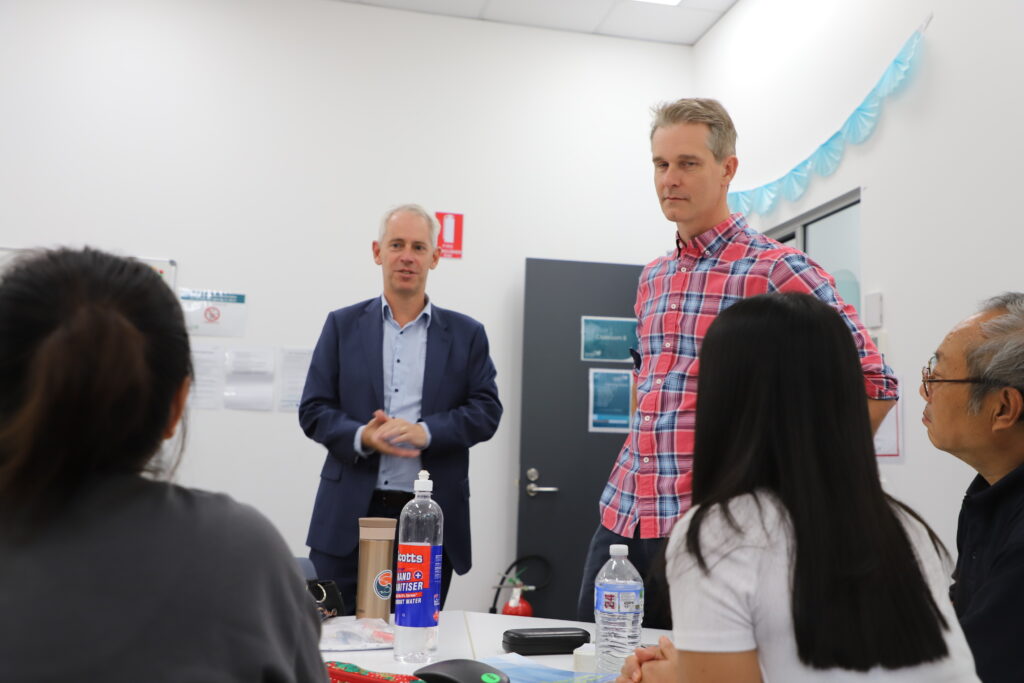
[677, 300]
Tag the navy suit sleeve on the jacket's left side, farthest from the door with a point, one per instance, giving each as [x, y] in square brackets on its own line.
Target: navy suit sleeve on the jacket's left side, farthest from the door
[321, 415]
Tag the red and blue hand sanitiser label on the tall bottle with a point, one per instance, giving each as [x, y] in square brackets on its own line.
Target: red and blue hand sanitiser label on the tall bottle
[418, 585]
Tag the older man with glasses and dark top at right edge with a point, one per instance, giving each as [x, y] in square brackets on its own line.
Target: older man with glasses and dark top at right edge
[974, 393]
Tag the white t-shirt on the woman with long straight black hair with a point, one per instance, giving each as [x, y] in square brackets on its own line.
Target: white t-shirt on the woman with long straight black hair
[745, 603]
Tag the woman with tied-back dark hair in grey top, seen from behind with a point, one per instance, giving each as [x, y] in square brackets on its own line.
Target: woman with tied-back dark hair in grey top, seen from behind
[107, 575]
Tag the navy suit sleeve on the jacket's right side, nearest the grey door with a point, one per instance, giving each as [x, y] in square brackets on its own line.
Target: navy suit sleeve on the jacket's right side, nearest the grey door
[477, 419]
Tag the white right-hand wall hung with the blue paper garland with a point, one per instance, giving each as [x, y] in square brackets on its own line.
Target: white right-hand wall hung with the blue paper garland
[941, 177]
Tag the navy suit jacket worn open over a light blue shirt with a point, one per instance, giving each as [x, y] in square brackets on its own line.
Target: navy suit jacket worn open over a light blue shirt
[346, 386]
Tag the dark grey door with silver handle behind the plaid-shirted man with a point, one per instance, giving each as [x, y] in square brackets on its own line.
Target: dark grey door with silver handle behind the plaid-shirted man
[554, 440]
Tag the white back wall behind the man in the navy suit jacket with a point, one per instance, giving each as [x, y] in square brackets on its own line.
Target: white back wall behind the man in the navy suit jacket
[259, 142]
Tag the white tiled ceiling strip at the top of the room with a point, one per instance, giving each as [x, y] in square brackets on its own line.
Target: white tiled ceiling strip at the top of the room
[682, 25]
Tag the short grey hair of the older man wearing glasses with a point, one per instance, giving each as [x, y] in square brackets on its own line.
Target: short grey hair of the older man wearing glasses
[999, 360]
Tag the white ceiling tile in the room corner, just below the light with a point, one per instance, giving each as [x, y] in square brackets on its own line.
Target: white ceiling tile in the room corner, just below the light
[658, 23]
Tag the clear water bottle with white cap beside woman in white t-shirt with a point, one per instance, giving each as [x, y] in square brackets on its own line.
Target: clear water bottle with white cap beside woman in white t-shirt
[618, 611]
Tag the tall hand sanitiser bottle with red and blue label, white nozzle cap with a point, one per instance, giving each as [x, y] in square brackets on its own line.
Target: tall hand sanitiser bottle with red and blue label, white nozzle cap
[418, 580]
